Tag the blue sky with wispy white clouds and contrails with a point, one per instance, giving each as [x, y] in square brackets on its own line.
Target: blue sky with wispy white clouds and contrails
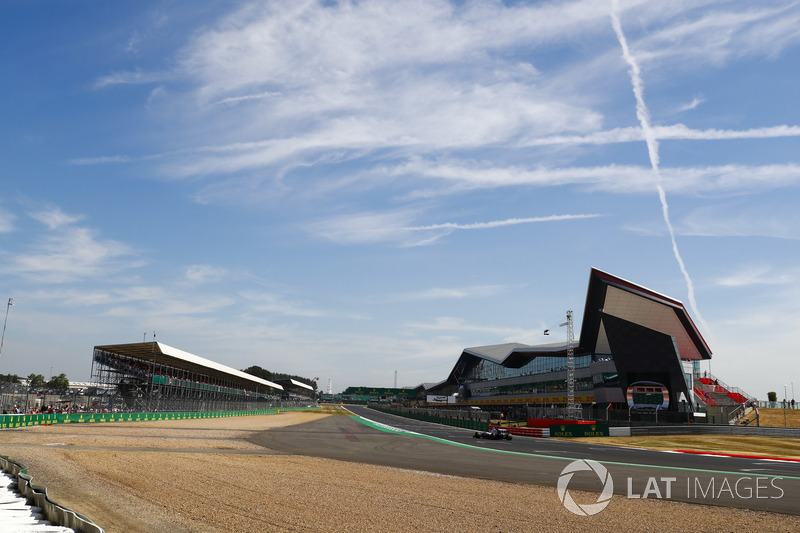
[359, 190]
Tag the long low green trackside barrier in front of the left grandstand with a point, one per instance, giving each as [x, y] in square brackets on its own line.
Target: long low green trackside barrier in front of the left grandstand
[17, 421]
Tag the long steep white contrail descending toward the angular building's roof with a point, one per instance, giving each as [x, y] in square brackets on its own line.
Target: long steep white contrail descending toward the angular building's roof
[643, 115]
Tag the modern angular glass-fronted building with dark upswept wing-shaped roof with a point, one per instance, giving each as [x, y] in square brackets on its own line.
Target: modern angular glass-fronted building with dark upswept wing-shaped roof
[637, 349]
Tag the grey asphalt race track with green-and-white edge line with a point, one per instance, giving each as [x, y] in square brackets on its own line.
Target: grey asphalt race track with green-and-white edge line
[757, 484]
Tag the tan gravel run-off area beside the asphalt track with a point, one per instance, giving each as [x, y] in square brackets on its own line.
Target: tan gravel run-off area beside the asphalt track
[202, 475]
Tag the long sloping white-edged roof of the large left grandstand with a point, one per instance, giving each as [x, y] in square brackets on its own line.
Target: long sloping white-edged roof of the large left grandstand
[167, 355]
